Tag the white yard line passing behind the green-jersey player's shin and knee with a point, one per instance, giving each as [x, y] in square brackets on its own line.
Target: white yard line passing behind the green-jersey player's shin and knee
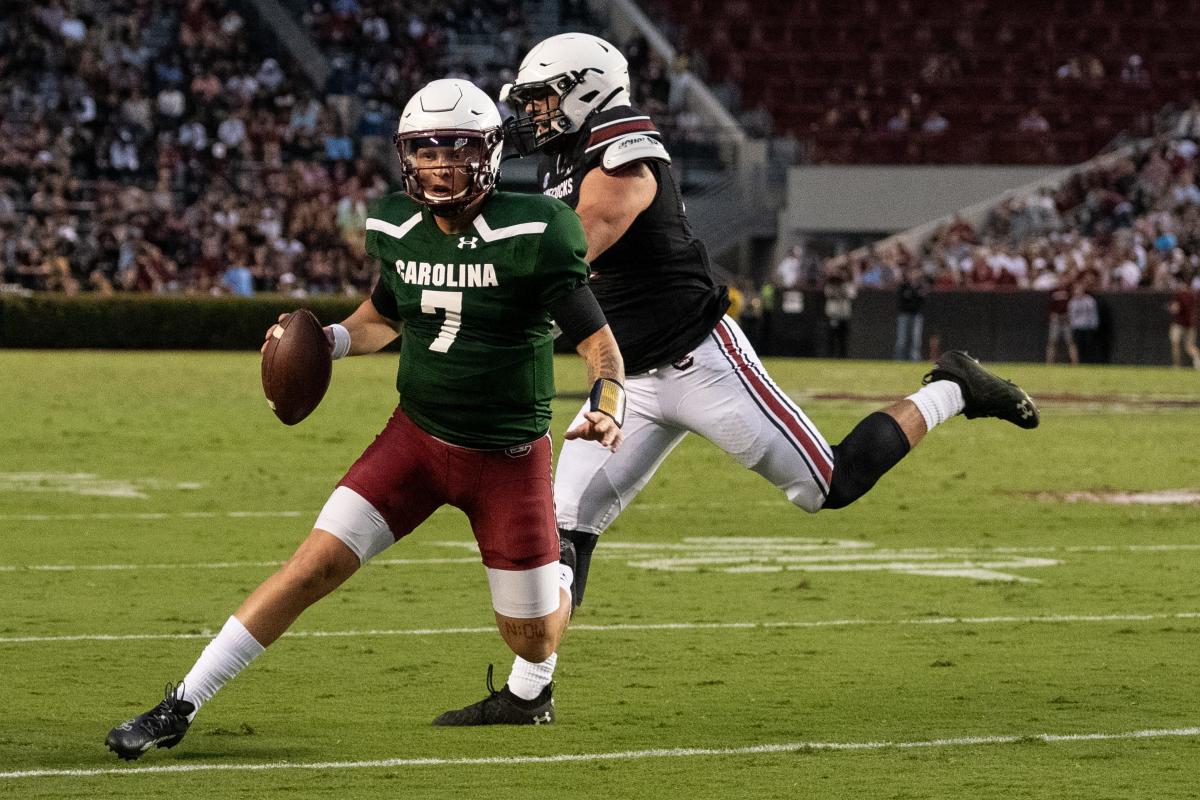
[1051, 619]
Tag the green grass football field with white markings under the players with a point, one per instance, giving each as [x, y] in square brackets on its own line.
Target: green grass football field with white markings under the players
[971, 629]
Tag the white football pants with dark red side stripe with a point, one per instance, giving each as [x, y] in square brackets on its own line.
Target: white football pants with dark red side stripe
[728, 398]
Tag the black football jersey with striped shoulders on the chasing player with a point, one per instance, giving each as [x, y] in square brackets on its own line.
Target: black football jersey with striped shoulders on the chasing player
[655, 284]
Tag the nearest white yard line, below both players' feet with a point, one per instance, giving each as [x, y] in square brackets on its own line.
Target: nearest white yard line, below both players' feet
[620, 756]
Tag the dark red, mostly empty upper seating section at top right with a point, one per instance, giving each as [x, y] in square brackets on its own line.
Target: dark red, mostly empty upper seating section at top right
[928, 82]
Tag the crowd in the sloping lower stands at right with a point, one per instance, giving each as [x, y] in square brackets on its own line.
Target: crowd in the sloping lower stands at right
[1131, 224]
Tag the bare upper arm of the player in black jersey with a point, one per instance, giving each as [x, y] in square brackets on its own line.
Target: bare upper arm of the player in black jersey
[611, 201]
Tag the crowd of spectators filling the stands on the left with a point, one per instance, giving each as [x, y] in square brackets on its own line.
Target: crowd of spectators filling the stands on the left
[149, 146]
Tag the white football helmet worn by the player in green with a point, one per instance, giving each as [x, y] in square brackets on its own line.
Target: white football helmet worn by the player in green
[449, 142]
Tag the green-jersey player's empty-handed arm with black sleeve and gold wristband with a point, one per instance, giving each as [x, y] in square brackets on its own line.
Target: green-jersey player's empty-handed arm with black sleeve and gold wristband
[580, 317]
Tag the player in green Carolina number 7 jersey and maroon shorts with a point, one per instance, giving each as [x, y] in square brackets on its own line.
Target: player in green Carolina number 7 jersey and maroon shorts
[473, 281]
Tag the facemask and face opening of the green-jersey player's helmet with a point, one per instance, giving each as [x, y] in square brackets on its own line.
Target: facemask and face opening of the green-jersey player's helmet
[447, 171]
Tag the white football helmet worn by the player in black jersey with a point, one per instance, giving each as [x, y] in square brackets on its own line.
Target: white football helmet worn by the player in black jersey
[585, 73]
